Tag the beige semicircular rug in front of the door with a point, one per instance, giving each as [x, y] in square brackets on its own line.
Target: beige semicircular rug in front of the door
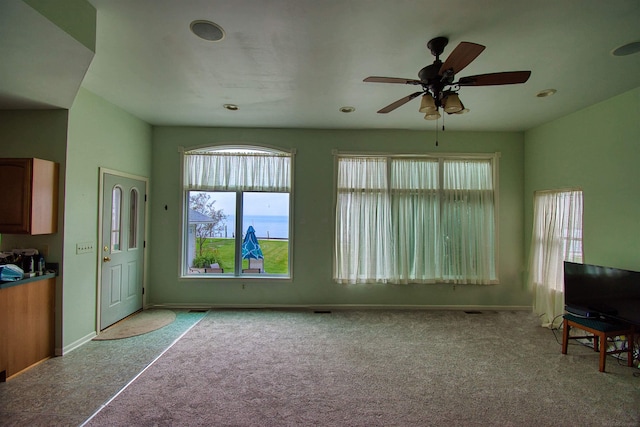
[138, 324]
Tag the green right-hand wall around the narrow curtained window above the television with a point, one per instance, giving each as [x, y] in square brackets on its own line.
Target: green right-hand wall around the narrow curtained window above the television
[598, 150]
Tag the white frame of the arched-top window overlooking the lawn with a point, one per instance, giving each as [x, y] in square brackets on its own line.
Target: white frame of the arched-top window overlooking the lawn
[237, 274]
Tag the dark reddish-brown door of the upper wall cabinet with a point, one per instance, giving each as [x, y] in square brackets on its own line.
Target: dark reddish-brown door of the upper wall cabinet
[15, 209]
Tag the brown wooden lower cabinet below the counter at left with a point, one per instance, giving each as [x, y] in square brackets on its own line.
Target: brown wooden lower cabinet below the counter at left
[27, 333]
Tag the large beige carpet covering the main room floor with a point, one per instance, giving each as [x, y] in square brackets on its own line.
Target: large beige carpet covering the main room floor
[375, 368]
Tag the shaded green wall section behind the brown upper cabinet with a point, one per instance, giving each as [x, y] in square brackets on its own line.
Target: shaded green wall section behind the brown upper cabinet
[42, 134]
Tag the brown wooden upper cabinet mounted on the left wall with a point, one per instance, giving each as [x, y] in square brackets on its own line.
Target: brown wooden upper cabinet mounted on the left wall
[29, 196]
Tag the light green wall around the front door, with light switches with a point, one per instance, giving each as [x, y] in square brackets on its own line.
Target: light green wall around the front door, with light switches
[100, 135]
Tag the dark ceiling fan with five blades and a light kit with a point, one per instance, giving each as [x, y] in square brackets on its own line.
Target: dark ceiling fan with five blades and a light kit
[439, 90]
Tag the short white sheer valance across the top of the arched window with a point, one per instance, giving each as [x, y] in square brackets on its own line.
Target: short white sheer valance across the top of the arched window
[222, 171]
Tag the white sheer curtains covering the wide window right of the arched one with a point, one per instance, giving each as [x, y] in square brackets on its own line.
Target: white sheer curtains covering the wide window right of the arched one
[414, 220]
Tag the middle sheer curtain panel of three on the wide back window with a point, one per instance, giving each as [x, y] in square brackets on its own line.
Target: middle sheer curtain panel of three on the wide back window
[416, 218]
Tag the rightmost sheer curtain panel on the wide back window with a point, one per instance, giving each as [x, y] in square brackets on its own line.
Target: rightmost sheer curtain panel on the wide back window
[468, 223]
